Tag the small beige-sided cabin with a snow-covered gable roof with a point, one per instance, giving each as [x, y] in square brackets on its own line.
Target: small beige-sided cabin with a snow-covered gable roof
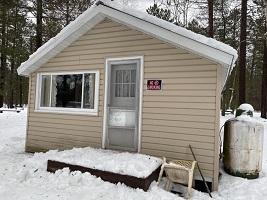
[118, 78]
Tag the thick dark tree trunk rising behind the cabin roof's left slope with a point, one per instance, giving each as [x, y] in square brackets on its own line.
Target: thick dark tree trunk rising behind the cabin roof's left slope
[39, 24]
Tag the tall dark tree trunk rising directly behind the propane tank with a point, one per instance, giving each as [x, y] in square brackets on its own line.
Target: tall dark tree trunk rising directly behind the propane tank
[242, 54]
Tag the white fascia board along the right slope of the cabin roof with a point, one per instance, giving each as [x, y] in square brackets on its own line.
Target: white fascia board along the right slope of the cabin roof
[168, 36]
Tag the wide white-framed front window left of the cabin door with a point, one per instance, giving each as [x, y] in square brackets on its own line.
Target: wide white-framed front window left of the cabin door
[68, 91]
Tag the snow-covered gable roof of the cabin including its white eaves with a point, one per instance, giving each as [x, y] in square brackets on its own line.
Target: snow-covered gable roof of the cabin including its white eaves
[148, 24]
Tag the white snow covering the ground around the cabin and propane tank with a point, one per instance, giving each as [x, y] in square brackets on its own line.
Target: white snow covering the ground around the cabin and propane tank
[23, 176]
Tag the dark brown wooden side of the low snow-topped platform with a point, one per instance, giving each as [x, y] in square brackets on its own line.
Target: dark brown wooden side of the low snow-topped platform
[131, 181]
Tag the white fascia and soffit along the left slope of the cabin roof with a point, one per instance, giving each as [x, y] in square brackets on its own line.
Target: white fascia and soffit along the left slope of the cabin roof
[55, 45]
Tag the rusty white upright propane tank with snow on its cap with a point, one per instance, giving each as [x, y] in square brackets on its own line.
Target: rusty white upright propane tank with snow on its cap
[243, 145]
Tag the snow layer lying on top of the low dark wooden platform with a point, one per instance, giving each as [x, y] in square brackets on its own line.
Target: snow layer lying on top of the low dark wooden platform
[138, 165]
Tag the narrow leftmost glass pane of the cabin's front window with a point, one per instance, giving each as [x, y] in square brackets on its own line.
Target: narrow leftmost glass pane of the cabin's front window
[45, 91]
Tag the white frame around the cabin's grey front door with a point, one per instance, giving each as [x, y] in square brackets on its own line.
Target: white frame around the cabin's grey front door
[107, 76]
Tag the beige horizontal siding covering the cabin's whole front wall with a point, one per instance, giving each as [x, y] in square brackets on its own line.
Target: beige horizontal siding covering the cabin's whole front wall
[182, 113]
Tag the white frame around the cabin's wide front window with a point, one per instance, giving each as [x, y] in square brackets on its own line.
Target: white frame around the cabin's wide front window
[93, 111]
